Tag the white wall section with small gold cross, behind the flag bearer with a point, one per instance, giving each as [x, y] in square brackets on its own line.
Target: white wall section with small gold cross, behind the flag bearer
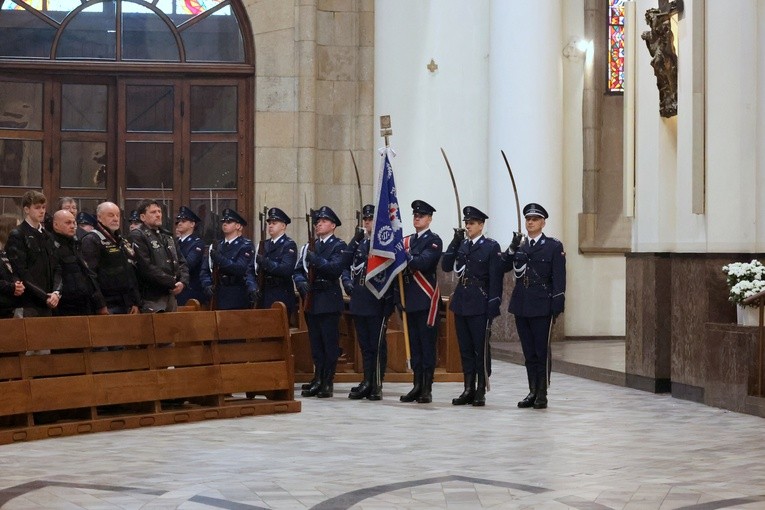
[446, 109]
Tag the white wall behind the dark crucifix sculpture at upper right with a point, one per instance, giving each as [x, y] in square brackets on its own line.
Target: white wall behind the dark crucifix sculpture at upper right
[664, 220]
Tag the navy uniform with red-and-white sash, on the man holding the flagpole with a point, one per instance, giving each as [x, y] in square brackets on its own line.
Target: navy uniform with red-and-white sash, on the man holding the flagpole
[424, 253]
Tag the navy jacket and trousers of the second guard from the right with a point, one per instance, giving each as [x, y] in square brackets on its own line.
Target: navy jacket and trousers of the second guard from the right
[476, 299]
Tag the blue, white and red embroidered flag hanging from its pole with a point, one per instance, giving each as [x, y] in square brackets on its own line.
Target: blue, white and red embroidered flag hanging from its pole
[387, 257]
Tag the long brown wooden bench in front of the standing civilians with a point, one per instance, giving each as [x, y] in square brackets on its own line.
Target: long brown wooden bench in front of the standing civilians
[62, 376]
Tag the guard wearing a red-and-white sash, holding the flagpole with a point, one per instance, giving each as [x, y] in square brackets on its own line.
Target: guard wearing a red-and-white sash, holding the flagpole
[422, 295]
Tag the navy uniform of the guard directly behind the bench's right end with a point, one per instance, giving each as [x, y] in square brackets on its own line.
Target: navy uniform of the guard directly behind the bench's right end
[279, 261]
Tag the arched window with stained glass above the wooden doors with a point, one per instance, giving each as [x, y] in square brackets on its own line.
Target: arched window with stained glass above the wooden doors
[148, 30]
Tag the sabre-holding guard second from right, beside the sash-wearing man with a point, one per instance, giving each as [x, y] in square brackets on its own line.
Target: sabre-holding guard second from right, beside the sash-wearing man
[476, 300]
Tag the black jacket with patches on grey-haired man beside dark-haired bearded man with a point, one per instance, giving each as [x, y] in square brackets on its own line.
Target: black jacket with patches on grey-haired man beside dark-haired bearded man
[110, 256]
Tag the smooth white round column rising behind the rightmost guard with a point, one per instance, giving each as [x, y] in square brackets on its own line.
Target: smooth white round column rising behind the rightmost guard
[525, 118]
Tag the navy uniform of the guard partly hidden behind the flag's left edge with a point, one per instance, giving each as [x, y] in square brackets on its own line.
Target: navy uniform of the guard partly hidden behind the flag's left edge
[369, 313]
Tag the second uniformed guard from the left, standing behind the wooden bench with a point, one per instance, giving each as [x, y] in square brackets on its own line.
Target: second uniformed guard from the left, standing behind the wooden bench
[224, 271]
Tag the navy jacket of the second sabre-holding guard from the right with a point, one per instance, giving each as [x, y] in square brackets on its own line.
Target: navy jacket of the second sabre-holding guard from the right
[479, 287]
